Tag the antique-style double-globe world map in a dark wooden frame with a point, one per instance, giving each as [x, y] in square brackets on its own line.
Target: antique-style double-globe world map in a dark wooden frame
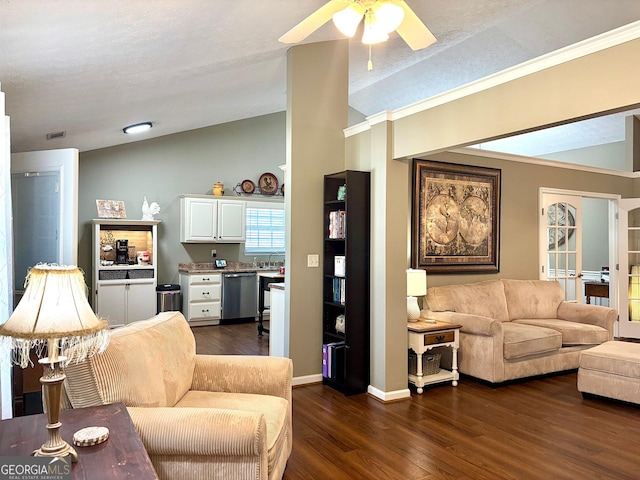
[455, 217]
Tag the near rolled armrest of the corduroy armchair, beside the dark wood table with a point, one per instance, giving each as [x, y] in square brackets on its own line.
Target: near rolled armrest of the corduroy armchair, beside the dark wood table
[200, 431]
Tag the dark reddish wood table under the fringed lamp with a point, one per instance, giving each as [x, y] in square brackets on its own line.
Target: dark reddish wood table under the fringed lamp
[121, 456]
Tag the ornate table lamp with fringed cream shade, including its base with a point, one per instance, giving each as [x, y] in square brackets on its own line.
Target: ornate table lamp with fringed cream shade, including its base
[54, 313]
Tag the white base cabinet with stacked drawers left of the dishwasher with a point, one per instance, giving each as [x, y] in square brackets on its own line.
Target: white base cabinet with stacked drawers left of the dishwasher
[201, 298]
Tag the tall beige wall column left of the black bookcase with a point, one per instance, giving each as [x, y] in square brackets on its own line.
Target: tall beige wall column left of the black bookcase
[317, 95]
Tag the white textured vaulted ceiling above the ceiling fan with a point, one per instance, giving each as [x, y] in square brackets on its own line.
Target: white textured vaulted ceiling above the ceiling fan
[89, 68]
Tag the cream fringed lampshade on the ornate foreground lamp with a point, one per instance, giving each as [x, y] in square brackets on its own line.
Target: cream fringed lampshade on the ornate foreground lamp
[54, 307]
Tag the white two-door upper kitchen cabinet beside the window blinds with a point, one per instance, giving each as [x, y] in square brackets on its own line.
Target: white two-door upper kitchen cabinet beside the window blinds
[204, 219]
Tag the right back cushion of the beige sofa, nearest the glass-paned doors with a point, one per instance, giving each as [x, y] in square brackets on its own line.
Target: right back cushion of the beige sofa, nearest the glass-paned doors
[532, 298]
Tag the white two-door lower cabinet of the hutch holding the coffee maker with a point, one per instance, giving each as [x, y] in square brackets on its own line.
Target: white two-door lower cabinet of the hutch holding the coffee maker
[124, 302]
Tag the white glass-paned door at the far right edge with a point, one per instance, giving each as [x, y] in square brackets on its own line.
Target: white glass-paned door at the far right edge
[629, 268]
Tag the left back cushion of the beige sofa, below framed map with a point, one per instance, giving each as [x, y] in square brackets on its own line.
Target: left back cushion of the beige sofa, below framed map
[485, 299]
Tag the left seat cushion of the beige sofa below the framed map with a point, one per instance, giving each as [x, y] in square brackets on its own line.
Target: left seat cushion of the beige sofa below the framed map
[522, 340]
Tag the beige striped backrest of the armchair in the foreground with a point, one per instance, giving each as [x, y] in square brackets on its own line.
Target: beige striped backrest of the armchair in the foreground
[133, 372]
